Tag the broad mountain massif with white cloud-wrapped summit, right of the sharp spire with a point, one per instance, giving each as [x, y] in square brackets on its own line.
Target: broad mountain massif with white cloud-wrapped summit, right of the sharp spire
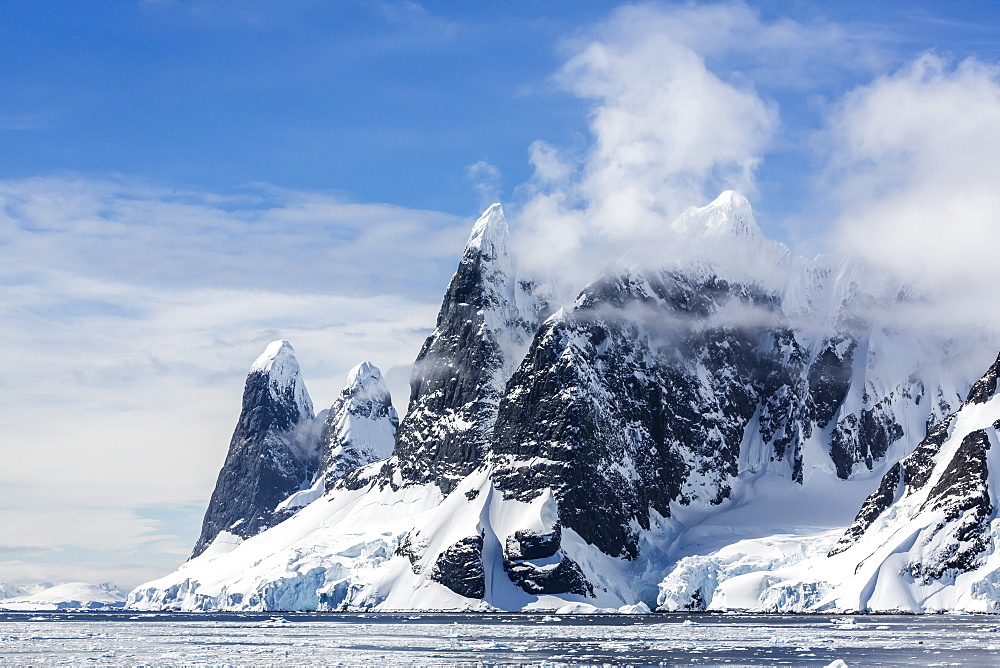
[660, 386]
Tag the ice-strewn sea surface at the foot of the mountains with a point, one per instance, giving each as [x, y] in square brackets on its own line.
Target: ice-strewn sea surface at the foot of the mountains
[301, 639]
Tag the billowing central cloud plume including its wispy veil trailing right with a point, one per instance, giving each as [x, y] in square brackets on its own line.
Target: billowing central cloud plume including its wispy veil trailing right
[682, 105]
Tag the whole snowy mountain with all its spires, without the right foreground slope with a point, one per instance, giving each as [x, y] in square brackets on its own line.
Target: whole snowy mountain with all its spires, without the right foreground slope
[687, 422]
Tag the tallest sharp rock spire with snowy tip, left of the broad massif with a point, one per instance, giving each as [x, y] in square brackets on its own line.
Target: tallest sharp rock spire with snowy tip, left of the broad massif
[460, 373]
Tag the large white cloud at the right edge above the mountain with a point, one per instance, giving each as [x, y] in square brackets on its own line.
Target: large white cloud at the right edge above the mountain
[915, 171]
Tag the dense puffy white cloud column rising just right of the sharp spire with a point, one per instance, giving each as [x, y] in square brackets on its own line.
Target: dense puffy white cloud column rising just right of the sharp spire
[667, 133]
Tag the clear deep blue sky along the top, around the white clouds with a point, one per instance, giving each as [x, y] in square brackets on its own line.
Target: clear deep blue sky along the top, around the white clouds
[386, 102]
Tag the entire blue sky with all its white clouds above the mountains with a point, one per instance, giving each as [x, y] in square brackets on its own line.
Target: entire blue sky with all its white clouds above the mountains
[183, 182]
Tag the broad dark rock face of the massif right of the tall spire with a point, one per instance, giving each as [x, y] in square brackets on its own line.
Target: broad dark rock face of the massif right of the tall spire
[614, 413]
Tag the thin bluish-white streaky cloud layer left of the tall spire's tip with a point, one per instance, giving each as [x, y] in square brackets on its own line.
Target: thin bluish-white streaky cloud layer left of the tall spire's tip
[265, 238]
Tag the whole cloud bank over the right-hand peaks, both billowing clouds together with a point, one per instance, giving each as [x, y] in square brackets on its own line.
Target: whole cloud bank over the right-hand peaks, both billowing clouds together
[686, 101]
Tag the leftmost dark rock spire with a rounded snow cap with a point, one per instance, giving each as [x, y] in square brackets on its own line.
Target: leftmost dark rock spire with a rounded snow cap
[263, 466]
